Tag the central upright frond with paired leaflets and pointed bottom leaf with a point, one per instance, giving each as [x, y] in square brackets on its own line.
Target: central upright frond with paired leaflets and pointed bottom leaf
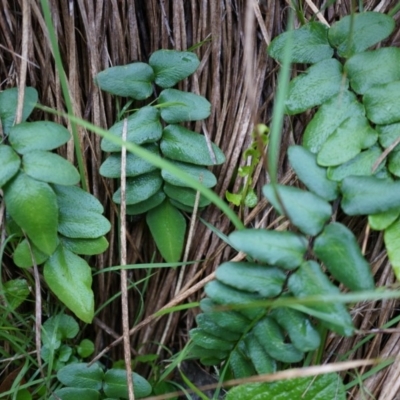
[160, 194]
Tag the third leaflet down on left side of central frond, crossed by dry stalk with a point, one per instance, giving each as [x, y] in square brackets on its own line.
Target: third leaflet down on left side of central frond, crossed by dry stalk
[111, 167]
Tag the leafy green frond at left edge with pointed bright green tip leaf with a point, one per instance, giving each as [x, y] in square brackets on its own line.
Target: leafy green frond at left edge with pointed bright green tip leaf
[53, 219]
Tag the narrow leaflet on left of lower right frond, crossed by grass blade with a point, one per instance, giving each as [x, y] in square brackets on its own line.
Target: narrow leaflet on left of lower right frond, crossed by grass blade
[227, 295]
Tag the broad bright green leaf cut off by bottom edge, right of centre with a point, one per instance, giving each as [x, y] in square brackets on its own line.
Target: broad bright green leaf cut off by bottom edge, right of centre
[318, 387]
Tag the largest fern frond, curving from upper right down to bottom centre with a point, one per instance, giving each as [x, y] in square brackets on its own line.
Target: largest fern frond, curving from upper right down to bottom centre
[348, 155]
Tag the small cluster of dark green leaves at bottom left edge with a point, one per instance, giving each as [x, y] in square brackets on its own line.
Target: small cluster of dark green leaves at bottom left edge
[80, 378]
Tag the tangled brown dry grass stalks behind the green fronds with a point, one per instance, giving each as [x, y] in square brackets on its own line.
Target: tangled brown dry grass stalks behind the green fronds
[239, 79]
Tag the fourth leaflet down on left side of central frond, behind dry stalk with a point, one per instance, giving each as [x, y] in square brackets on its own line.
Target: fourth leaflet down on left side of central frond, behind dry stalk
[140, 188]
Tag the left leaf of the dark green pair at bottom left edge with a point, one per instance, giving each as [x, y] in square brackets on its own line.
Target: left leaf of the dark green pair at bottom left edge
[80, 375]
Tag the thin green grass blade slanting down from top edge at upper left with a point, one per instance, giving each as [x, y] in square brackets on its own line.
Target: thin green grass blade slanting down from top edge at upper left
[64, 87]
